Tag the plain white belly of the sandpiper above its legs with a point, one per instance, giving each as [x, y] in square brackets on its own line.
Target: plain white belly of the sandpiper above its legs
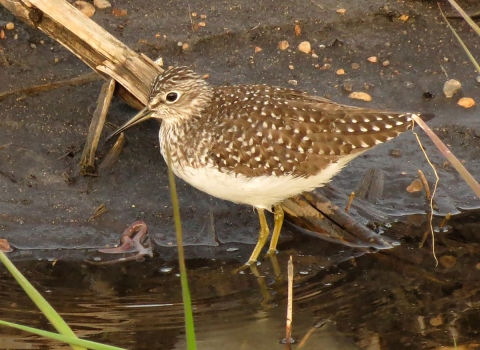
[261, 192]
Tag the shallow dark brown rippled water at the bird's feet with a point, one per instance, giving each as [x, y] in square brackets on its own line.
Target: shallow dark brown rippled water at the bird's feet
[343, 299]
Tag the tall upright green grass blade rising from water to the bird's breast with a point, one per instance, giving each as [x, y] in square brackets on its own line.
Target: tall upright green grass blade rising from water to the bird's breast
[187, 302]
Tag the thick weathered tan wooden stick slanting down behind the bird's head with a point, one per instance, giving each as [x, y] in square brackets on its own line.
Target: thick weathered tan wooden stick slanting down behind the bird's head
[90, 43]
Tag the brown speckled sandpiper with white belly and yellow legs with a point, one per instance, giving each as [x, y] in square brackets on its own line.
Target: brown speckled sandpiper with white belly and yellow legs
[258, 144]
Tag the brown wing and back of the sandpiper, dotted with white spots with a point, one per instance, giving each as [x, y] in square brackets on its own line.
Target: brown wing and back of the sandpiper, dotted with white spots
[276, 131]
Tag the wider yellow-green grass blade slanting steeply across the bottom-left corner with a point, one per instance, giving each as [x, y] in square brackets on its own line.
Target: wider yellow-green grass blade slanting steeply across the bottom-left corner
[56, 320]
